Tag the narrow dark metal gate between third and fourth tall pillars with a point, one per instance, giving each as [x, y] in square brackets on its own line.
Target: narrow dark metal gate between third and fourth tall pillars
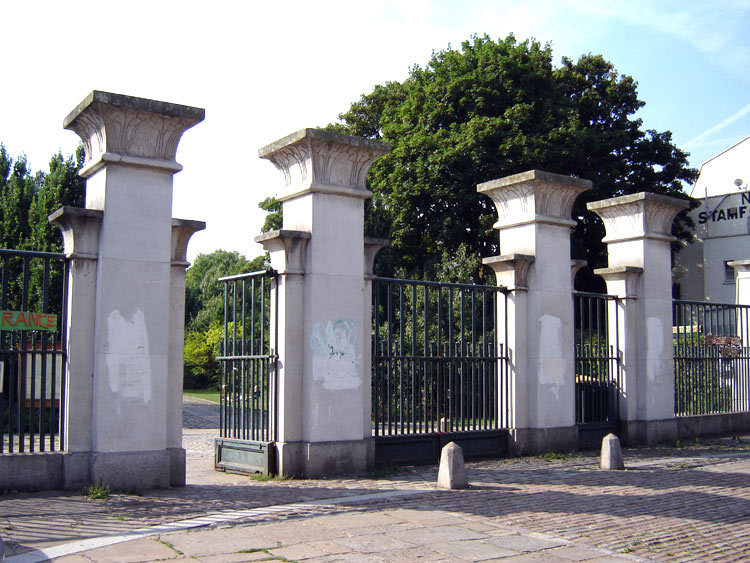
[597, 367]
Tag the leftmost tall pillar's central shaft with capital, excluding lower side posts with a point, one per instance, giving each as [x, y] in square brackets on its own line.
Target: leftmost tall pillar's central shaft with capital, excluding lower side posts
[130, 148]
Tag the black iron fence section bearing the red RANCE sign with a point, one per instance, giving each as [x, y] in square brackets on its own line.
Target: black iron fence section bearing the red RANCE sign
[33, 304]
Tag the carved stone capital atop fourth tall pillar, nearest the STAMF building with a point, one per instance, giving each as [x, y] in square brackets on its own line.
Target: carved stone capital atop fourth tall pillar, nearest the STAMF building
[638, 216]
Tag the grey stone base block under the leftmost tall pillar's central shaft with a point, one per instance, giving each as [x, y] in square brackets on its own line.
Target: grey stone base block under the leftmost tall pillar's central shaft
[124, 471]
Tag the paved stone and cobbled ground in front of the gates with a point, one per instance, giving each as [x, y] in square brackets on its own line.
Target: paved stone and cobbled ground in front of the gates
[672, 504]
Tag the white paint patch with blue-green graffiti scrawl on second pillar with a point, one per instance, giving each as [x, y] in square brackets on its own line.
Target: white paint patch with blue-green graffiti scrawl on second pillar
[335, 362]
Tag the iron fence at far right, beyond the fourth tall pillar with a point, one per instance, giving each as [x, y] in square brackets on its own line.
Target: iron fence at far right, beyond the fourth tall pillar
[711, 357]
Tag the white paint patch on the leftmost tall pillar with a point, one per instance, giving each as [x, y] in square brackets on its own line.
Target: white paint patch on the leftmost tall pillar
[127, 354]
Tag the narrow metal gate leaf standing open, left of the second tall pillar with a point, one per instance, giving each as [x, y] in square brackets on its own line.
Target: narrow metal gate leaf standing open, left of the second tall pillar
[247, 421]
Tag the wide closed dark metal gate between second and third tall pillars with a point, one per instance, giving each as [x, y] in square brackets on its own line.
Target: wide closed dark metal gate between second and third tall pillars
[439, 370]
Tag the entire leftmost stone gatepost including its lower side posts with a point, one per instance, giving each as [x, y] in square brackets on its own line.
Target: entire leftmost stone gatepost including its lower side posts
[125, 376]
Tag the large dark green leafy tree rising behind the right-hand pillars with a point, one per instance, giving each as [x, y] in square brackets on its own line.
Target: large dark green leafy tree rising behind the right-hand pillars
[488, 110]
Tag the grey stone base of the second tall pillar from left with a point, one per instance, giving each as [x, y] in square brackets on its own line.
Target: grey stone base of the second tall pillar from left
[325, 459]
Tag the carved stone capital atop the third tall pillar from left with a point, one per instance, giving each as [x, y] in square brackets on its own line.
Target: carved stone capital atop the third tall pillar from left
[534, 197]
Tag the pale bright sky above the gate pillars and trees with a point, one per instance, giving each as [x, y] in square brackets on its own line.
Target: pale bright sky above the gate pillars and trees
[262, 70]
